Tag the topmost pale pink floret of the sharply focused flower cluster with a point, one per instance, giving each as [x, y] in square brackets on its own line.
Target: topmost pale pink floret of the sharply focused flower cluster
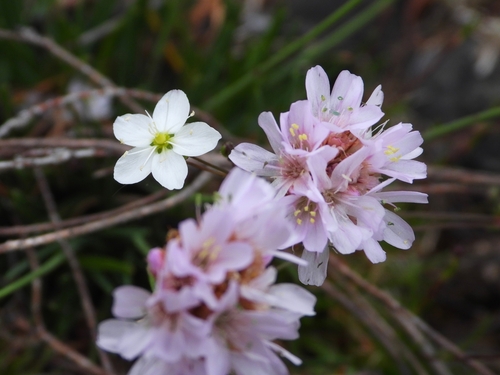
[342, 108]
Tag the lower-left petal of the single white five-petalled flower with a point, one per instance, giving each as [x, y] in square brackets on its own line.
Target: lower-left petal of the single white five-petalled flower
[134, 165]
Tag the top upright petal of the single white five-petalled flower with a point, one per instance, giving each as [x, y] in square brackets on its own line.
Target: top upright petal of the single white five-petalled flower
[171, 112]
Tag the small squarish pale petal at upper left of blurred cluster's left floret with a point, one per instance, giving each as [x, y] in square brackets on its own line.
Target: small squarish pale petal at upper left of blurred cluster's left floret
[129, 302]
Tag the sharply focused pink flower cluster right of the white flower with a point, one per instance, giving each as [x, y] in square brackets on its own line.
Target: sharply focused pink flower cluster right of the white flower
[329, 167]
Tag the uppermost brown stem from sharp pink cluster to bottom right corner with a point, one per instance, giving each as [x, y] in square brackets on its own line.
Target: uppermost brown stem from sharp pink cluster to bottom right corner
[408, 320]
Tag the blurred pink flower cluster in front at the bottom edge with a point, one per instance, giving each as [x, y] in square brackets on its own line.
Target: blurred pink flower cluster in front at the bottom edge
[215, 308]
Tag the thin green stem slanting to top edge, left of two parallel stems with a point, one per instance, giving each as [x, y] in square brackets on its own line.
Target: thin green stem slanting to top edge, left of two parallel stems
[281, 55]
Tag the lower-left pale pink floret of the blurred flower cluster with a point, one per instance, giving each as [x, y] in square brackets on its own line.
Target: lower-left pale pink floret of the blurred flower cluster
[170, 337]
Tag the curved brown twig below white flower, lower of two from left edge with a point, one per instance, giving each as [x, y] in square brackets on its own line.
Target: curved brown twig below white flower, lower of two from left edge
[97, 225]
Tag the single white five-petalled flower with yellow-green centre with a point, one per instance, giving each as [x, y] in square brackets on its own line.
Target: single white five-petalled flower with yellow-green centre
[161, 141]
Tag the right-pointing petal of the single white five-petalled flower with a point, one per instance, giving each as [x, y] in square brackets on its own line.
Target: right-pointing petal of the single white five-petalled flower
[194, 139]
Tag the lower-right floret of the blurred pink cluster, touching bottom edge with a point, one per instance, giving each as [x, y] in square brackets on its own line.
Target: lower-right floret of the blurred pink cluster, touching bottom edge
[242, 339]
